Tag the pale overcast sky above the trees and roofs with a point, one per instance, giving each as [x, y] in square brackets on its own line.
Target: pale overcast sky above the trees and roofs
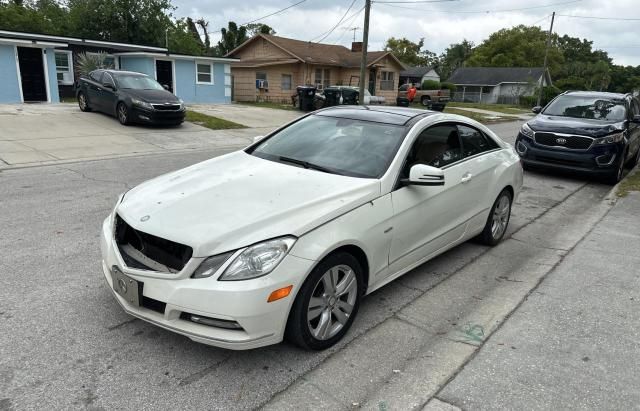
[440, 23]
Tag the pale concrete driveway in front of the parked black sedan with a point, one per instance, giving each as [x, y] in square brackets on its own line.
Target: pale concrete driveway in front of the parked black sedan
[38, 134]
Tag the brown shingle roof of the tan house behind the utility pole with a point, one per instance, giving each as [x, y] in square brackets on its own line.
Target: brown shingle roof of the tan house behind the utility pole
[318, 53]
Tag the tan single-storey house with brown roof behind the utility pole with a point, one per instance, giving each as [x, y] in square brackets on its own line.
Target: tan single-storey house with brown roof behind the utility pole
[270, 68]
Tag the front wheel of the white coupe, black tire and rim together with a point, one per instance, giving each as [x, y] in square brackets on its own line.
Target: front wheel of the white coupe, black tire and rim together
[327, 303]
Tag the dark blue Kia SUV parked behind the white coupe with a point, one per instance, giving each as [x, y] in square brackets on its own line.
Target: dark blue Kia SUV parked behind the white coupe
[584, 131]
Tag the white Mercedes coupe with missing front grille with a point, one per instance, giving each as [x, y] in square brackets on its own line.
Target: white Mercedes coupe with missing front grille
[284, 238]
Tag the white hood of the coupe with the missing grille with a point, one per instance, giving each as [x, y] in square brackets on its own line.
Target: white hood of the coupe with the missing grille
[236, 200]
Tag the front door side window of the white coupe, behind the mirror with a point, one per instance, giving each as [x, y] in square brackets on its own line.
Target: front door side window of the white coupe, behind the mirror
[436, 146]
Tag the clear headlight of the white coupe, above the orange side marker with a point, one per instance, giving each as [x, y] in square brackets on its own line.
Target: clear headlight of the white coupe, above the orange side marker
[258, 260]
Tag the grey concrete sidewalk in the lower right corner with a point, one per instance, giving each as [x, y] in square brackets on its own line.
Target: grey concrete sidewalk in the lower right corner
[574, 342]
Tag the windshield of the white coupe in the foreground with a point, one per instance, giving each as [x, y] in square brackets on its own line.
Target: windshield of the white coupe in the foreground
[337, 145]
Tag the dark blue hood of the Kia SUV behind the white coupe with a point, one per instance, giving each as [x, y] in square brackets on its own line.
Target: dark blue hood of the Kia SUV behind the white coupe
[579, 126]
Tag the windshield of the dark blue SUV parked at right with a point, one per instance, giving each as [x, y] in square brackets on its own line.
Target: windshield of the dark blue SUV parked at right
[587, 107]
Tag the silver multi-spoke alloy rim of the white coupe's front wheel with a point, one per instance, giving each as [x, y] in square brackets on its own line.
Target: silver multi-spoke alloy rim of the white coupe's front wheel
[332, 301]
